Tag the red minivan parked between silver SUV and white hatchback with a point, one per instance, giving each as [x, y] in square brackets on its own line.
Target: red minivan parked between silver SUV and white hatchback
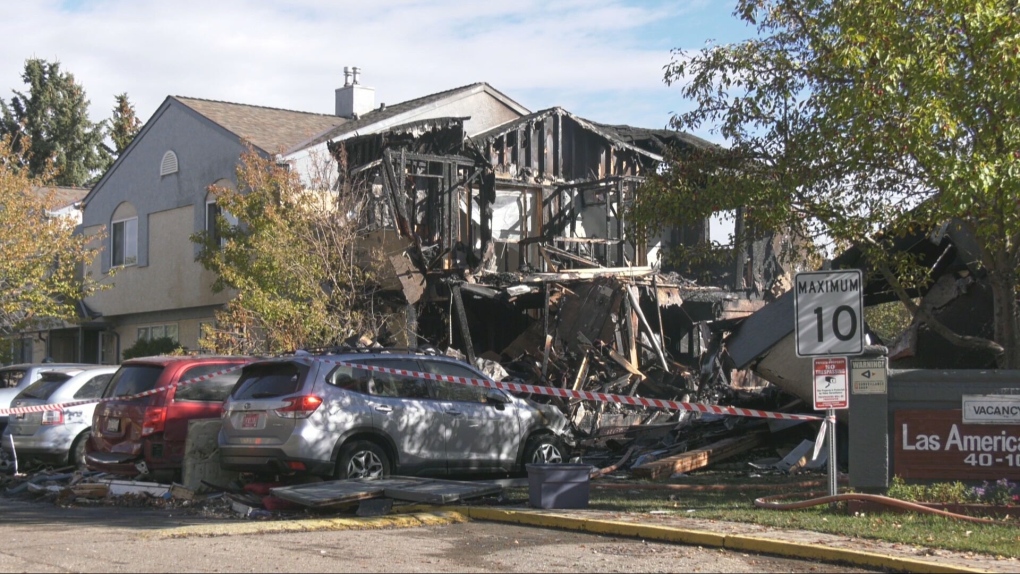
[146, 436]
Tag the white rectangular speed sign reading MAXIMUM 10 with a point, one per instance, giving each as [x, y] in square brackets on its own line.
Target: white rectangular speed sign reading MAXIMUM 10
[830, 314]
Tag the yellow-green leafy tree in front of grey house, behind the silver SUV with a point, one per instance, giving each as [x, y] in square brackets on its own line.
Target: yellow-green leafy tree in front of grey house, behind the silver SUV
[291, 252]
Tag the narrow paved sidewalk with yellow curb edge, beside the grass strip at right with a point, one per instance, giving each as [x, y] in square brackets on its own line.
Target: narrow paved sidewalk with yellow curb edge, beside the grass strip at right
[749, 538]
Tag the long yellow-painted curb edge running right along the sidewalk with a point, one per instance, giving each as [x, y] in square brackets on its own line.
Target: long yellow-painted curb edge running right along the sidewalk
[705, 539]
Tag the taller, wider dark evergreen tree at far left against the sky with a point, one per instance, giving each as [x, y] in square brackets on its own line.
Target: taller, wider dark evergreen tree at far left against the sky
[49, 126]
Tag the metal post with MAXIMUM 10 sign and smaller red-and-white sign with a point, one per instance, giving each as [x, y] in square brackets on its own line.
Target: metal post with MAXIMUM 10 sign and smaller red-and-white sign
[830, 311]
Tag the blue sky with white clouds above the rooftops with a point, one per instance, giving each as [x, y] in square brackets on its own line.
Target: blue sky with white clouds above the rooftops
[603, 62]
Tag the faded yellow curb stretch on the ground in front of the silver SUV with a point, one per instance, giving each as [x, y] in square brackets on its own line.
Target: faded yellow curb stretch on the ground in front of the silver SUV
[415, 520]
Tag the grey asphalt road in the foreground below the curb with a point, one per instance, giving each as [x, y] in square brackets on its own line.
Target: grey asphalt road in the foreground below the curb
[42, 538]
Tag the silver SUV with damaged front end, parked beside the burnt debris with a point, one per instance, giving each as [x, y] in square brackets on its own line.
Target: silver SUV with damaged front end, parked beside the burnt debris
[310, 414]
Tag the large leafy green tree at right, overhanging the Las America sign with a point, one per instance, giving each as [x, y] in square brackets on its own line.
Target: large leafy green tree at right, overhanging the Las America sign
[857, 121]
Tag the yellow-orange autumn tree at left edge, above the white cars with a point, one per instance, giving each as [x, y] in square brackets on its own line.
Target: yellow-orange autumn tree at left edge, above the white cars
[40, 282]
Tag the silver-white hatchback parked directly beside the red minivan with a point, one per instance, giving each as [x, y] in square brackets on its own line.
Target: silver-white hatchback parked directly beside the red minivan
[57, 437]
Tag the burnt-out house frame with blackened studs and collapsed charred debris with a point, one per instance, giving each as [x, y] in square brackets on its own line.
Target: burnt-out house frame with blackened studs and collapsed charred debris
[513, 247]
